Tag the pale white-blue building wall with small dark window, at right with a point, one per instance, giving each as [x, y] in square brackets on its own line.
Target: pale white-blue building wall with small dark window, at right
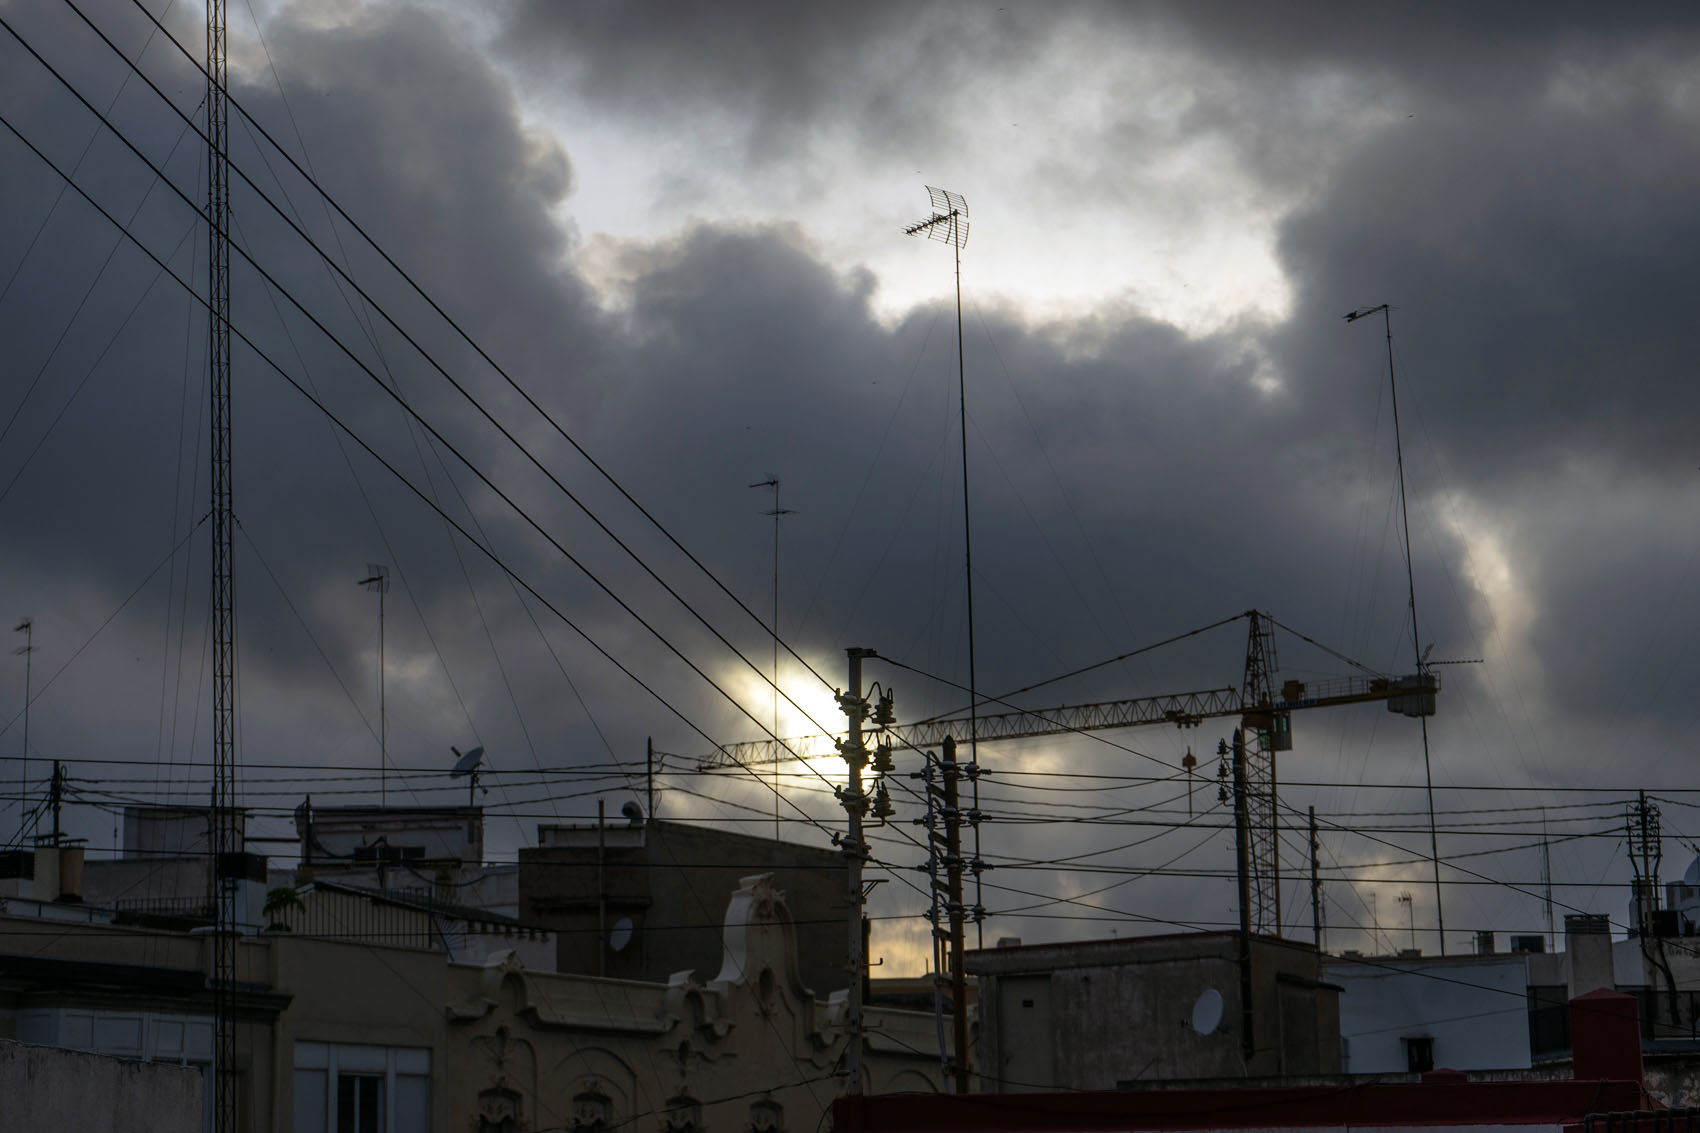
[1473, 1008]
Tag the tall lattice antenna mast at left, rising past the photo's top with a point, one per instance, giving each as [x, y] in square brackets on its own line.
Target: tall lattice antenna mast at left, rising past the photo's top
[224, 824]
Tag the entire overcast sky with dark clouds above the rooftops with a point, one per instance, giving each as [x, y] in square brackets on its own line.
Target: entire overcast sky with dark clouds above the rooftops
[679, 231]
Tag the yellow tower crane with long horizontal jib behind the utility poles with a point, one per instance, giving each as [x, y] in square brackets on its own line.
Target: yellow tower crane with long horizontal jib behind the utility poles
[1266, 722]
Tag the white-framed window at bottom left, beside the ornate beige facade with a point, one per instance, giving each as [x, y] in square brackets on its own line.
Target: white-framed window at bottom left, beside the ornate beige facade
[361, 1090]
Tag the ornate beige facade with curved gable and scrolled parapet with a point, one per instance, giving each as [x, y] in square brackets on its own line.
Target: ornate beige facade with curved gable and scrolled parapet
[745, 1050]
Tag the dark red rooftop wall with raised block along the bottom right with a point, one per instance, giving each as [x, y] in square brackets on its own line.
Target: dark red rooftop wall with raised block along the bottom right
[1607, 1068]
